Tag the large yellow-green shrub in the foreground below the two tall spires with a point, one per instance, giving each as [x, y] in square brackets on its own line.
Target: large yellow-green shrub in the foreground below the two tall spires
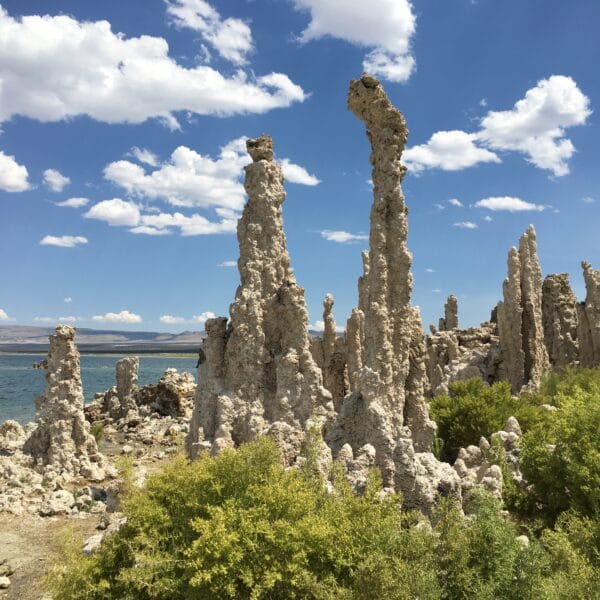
[240, 526]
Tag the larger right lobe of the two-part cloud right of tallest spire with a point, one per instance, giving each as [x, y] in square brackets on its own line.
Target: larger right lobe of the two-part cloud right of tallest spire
[536, 124]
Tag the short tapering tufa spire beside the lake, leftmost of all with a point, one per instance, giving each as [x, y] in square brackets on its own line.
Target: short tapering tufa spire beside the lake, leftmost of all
[61, 442]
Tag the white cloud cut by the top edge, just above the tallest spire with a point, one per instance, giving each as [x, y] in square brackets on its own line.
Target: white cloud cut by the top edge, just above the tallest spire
[384, 26]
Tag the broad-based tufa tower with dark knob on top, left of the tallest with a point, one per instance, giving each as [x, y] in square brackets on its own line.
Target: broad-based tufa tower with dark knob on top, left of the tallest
[259, 370]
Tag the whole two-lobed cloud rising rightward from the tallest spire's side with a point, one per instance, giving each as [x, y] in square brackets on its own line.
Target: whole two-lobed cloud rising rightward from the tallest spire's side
[535, 126]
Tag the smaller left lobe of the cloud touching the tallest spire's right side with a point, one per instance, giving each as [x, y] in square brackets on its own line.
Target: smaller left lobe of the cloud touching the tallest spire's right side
[449, 151]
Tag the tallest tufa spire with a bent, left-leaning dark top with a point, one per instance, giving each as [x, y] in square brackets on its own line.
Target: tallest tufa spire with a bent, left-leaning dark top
[385, 417]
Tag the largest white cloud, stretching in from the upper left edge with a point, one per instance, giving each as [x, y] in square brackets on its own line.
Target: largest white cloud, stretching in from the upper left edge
[55, 67]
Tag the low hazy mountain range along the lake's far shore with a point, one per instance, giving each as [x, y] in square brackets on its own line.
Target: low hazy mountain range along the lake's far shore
[25, 338]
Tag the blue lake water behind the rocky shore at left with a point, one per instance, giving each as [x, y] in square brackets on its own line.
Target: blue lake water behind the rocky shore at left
[20, 383]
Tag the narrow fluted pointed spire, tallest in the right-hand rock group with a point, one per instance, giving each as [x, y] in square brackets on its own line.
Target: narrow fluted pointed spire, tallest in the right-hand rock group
[520, 316]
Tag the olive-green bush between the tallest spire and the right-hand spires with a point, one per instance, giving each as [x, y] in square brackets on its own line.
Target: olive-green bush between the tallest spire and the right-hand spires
[474, 409]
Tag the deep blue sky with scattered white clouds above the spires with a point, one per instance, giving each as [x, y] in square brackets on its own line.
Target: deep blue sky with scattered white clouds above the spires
[122, 128]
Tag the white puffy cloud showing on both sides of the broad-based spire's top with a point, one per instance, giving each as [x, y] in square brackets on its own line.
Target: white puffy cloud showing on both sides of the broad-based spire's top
[190, 179]
